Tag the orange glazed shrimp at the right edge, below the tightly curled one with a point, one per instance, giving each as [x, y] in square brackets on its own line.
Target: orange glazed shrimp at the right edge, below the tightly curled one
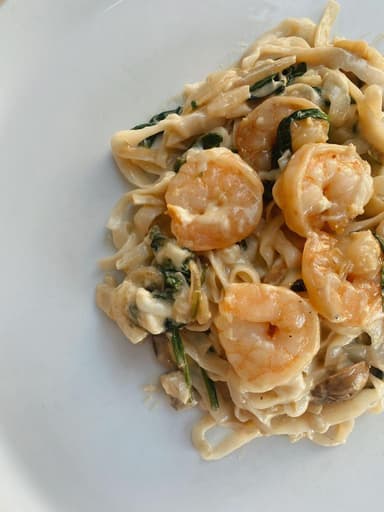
[342, 277]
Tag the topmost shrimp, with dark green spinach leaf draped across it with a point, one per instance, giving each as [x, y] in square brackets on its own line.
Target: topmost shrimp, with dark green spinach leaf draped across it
[256, 134]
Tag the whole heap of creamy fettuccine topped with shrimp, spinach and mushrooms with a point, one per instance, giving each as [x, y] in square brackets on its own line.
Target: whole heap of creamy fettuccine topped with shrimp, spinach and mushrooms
[250, 248]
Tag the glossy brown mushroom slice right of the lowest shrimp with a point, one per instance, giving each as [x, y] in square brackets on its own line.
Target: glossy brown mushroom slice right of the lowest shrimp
[342, 385]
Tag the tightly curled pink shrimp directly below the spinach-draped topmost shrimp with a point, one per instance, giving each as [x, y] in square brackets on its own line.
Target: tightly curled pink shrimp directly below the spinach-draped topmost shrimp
[323, 187]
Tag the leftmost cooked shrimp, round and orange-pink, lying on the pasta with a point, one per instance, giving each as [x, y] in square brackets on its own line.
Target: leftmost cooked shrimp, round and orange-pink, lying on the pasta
[214, 201]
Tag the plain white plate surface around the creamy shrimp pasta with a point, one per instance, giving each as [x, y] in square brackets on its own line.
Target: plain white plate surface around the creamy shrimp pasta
[76, 433]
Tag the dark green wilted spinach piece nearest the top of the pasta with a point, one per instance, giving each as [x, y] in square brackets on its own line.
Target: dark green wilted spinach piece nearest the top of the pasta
[276, 83]
